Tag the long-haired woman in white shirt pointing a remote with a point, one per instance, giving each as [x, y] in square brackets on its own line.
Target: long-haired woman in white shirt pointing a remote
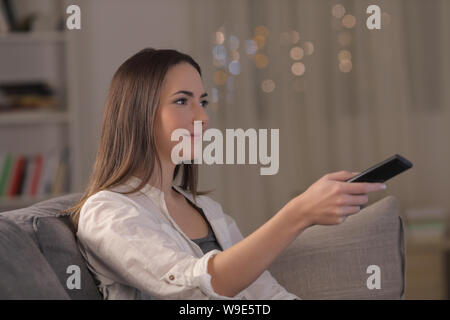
[143, 236]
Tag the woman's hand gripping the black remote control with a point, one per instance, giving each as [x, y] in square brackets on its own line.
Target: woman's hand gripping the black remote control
[330, 199]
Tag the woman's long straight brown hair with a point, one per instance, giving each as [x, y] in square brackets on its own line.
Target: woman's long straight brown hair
[127, 141]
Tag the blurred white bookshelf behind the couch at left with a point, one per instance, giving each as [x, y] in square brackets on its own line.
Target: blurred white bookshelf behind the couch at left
[50, 132]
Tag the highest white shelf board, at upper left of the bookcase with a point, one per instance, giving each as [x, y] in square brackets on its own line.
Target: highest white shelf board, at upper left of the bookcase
[32, 37]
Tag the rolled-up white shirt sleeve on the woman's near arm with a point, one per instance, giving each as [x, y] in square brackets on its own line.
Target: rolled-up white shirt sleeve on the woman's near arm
[130, 247]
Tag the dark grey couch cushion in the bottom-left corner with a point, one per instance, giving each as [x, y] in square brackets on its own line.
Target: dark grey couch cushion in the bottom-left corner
[25, 274]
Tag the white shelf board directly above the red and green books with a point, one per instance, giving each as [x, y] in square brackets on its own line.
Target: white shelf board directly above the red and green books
[33, 117]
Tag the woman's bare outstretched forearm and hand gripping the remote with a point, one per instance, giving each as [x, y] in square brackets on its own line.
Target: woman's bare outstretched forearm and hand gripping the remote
[327, 201]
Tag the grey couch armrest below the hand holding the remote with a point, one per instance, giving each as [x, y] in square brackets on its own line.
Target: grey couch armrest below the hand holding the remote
[331, 262]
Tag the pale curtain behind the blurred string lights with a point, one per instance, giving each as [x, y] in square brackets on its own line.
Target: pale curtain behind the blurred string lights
[394, 99]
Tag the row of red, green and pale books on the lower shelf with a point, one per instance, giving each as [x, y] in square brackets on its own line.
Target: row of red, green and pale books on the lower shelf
[34, 175]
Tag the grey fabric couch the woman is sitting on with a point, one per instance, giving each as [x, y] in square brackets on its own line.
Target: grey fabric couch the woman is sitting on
[37, 244]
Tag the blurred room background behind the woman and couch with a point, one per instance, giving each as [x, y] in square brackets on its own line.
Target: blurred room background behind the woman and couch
[344, 97]
